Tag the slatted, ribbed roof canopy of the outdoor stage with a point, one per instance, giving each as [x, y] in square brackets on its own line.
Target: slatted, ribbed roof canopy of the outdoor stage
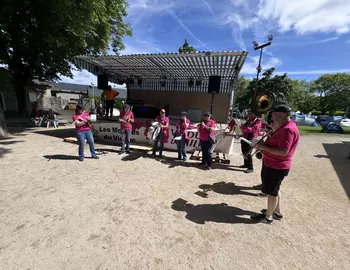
[199, 65]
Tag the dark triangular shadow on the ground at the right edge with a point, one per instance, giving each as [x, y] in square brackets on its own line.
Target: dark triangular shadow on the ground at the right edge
[339, 154]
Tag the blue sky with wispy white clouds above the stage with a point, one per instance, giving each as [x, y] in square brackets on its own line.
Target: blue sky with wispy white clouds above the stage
[311, 37]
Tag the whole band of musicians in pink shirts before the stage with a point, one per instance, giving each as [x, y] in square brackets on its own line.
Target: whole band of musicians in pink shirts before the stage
[278, 149]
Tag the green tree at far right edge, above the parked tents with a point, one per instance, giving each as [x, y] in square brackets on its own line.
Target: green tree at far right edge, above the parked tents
[334, 92]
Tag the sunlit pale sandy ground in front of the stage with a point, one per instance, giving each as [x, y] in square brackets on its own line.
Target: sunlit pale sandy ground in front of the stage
[118, 213]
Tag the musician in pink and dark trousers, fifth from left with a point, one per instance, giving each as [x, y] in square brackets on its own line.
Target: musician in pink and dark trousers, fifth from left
[206, 131]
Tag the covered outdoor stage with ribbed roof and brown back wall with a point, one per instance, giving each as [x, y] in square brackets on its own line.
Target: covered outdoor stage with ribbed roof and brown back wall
[177, 82]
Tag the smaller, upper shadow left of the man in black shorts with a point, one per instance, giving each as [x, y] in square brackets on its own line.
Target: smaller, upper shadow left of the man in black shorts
[226, 189]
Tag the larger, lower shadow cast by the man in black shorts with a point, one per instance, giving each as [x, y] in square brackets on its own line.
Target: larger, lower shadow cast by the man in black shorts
[220, 213]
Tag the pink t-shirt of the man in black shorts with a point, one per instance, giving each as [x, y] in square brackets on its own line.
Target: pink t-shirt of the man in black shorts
[286, 137]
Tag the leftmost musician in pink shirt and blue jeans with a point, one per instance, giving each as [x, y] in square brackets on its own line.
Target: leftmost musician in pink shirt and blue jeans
[83, 126]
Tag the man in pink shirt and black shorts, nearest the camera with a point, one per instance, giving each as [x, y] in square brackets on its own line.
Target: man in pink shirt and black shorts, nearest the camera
[278, 151]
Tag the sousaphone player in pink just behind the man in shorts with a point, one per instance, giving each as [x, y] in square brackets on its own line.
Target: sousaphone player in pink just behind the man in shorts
[250, 130]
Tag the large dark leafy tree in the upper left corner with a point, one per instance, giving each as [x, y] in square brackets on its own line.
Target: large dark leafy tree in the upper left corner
[39, 39]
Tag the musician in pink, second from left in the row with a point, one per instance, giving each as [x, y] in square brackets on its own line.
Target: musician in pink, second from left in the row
[127, 119]
